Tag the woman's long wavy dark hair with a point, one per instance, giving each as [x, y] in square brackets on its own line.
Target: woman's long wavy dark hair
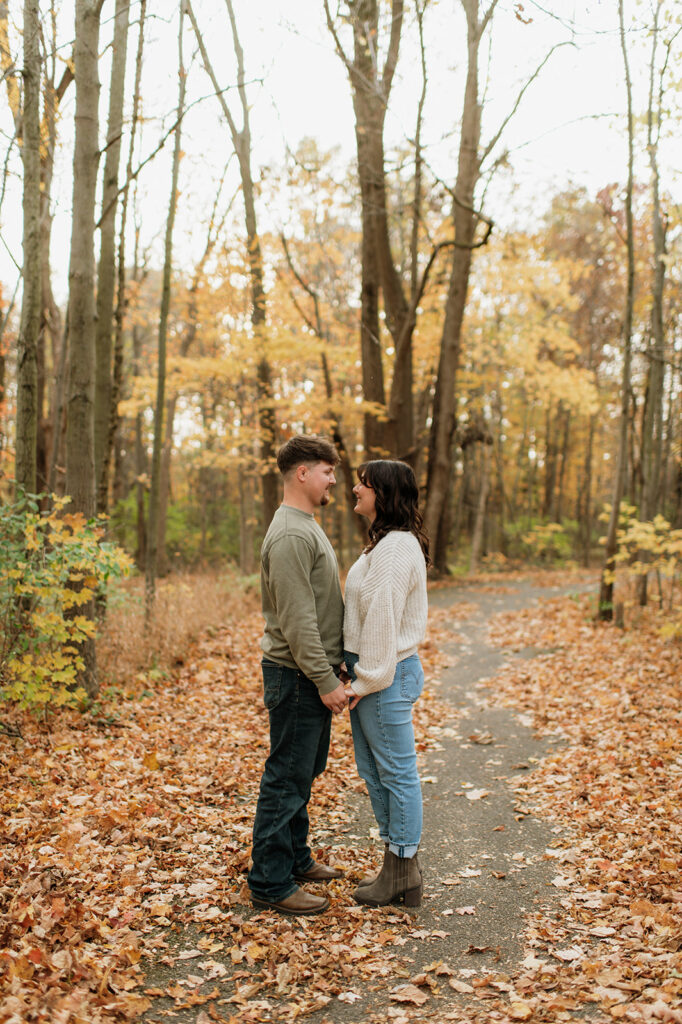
[397, 501]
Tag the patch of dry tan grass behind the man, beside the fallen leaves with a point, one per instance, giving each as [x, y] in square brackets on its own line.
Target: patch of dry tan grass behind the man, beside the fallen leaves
[187, 606]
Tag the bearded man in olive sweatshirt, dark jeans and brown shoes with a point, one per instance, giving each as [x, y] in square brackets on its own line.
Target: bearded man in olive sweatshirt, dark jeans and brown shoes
[303, 653]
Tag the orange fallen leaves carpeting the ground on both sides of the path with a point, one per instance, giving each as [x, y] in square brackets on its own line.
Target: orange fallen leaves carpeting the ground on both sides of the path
[127, 847]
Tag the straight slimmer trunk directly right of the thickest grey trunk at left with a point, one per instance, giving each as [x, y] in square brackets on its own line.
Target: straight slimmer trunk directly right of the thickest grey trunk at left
[107, 271]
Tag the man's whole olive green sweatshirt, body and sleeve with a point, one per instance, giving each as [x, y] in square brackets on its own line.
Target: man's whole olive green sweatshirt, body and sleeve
[302, 599]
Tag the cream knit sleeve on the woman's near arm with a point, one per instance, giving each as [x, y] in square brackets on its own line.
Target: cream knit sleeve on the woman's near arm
[388, 585]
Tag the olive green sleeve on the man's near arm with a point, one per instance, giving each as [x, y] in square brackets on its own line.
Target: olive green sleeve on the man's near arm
[291, 562]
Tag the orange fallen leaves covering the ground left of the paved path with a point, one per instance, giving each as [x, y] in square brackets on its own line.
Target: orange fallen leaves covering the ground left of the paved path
[129, 834]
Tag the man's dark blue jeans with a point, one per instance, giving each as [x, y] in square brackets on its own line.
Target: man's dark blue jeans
[301, 728]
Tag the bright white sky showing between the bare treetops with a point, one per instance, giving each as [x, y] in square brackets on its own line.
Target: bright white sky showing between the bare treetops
[571, 129]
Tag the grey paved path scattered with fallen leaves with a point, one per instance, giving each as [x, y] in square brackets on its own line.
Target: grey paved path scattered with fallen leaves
[485, 859]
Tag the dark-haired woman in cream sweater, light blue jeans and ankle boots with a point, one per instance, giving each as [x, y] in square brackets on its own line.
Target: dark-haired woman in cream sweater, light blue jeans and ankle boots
[386, 619]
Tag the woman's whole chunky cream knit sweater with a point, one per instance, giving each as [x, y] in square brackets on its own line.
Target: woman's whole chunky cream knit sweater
[386, 615]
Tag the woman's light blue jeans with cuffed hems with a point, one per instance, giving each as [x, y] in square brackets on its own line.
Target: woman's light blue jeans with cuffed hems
[385, 743]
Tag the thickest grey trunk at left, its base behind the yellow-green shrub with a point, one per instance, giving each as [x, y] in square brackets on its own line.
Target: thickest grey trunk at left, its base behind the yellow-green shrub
[80, 423]
